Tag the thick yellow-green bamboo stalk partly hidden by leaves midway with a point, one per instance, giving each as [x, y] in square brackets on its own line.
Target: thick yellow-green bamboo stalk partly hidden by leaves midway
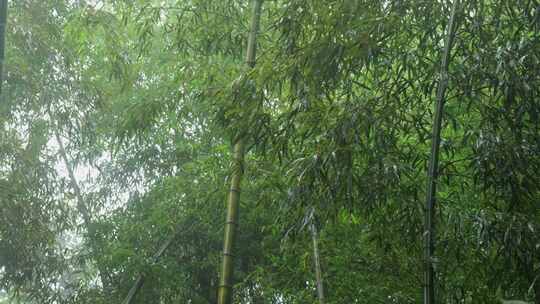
[226, 278]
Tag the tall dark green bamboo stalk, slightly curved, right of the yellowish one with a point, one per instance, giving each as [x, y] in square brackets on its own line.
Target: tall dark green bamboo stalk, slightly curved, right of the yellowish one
[429, 234]
